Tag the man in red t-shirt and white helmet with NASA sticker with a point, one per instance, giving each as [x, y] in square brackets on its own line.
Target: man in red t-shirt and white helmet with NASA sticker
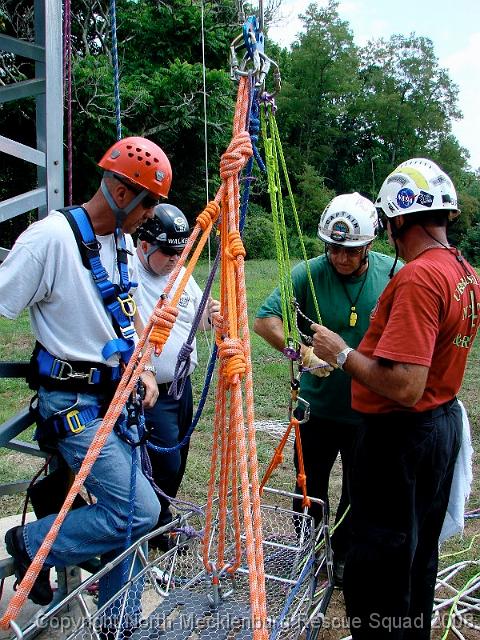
[406, 373]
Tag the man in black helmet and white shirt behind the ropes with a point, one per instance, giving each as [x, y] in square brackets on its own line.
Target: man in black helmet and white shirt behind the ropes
[161, 241]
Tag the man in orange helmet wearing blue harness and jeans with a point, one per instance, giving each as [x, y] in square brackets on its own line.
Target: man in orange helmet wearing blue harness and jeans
[73, 271]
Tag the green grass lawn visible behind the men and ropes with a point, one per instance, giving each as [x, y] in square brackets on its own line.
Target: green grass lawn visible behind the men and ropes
[271, 380]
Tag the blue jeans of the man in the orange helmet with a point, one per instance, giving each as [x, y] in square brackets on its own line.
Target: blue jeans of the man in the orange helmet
[98, 529]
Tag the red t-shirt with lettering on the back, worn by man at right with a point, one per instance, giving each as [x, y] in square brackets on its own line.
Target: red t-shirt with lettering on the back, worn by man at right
[428, 315]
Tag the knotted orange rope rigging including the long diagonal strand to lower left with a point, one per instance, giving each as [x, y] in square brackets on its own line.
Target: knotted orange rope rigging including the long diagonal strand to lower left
[239, 455]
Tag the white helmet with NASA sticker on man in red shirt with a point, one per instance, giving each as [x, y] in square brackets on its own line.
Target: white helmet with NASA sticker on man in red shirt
[417, 185]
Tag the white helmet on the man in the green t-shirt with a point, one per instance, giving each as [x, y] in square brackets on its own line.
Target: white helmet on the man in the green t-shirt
[349, 220]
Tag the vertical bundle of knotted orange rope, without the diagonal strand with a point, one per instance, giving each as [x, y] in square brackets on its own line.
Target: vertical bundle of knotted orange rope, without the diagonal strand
[234, 436]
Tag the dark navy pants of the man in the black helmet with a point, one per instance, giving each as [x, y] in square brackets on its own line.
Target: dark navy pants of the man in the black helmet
[169, 420]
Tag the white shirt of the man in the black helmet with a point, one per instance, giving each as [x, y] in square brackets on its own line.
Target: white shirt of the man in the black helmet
[150, 287]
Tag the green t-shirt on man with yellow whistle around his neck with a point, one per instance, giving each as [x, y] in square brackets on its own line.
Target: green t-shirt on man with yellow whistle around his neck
[330, 397]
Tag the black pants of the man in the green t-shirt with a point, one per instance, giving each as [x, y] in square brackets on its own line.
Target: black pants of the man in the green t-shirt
[322, 440]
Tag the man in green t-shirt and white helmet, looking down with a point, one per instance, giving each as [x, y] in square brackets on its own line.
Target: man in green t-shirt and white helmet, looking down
[348, 279]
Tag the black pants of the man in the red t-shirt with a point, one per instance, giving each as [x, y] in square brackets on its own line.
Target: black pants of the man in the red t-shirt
[400, 478]
